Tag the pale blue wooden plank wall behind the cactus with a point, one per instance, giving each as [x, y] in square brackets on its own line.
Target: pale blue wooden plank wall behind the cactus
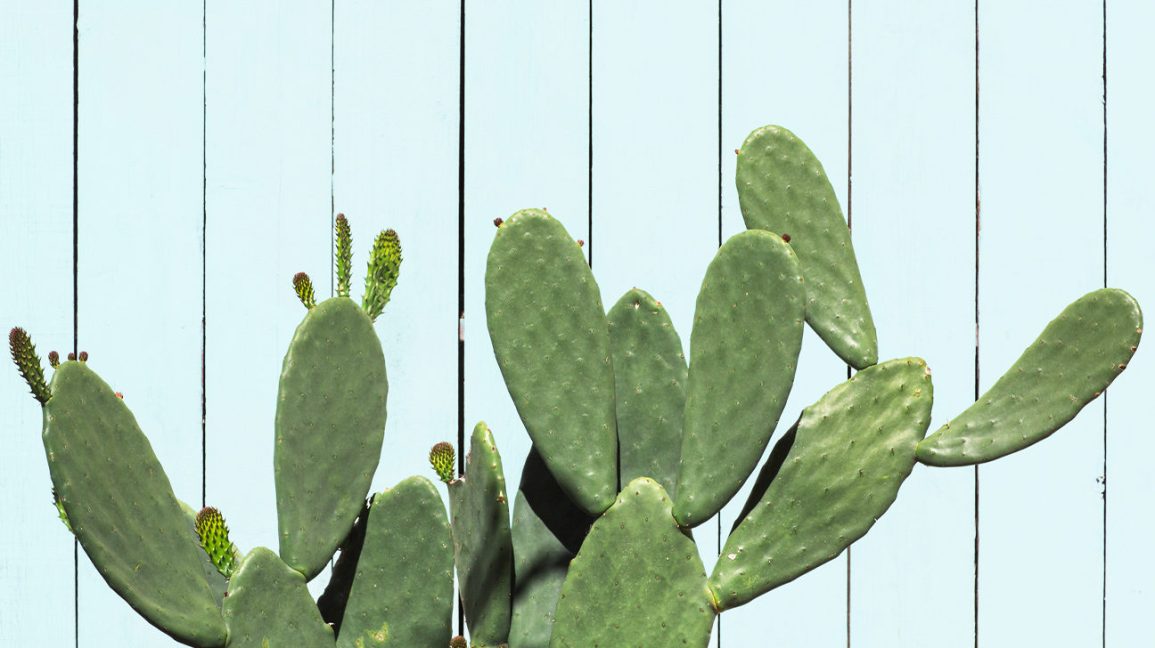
[215, 141]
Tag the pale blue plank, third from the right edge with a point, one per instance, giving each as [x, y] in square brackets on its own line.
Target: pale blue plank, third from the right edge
[914, 229]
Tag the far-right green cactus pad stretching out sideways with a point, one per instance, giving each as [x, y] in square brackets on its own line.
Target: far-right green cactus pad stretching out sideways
[1077, 356]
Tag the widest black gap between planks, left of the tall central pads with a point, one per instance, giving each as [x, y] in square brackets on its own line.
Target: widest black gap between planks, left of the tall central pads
[461, 269]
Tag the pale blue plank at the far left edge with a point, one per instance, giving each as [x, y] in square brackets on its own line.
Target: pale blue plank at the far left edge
[36, 128]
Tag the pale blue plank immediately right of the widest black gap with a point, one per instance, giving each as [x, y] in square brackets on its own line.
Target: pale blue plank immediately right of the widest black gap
[526, 146]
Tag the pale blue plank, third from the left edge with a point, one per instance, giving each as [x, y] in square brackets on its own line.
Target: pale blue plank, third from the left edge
[269, 199]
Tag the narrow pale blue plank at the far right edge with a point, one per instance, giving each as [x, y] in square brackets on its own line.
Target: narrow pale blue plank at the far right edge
[1131, 266]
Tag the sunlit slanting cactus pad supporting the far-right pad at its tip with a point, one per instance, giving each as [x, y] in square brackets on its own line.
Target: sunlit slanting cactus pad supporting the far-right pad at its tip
[843, 470]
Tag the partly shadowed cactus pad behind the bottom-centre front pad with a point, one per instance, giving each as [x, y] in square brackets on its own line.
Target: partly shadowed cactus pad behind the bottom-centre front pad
[548, 532]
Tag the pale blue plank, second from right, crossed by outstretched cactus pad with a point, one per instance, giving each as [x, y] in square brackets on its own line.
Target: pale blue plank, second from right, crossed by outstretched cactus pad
[1041, 248]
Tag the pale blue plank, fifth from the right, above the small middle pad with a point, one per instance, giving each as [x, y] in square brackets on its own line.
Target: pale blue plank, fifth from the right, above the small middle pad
[655, 161]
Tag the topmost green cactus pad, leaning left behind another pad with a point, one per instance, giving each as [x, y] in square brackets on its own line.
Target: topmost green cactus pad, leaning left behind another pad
[784, 189]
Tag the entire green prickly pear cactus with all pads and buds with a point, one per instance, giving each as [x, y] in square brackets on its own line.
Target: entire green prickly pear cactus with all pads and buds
[584, 562]
